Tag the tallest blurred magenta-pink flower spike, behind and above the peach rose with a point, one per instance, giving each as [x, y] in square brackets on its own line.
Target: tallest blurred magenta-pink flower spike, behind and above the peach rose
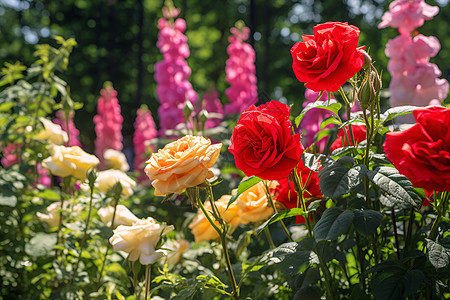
[171, 74]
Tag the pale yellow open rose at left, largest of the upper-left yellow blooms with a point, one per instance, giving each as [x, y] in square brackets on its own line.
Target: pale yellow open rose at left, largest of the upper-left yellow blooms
[69, 161]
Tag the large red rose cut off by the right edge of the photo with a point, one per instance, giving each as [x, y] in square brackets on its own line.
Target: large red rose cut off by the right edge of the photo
[422, 152]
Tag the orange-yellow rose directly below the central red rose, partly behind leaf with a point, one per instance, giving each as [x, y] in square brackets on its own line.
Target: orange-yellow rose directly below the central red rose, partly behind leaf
[253, 205]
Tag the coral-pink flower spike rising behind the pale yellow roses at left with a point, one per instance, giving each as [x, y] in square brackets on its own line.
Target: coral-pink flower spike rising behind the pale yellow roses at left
[108, 123]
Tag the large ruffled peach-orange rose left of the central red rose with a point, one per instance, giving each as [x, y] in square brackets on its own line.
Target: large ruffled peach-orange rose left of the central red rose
[182, 164]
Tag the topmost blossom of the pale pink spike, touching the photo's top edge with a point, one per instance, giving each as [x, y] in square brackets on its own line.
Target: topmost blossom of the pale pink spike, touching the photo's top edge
[407, 15]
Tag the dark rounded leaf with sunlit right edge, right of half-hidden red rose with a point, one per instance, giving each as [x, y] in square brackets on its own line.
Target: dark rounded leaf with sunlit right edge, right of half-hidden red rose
[341, 177]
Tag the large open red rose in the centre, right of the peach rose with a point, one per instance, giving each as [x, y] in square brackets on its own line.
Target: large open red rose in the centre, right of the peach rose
[262, 143]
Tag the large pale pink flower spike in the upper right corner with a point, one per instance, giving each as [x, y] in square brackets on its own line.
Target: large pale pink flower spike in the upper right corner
[415, 81]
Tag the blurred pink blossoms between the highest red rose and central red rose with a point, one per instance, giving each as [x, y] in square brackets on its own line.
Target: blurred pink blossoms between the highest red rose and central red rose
[310, 124]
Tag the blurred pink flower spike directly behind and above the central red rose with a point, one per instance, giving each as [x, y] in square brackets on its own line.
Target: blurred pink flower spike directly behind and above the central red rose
[241, 72]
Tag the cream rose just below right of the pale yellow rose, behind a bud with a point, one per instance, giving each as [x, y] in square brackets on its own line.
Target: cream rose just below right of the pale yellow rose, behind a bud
[107, 179]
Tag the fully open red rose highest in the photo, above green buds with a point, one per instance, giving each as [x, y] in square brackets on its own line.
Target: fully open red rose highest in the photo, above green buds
[326, 60]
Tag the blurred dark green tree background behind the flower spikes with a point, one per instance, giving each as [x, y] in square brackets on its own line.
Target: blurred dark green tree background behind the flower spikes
[117, 42]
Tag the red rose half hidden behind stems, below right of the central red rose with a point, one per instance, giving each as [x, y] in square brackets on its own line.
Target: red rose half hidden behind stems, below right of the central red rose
[286, 194]
